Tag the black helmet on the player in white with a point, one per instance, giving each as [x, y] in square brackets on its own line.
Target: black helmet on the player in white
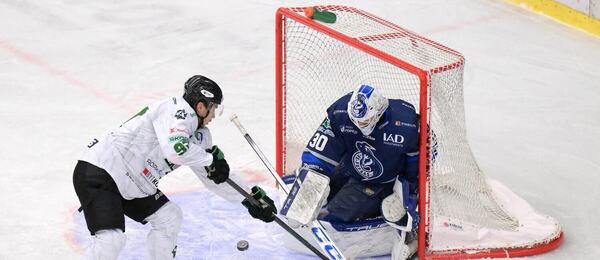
[202, 89]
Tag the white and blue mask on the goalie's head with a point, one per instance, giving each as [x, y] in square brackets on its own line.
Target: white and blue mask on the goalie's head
[366, 107]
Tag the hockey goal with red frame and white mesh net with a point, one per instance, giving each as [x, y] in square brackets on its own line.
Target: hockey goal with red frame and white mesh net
[463, 215]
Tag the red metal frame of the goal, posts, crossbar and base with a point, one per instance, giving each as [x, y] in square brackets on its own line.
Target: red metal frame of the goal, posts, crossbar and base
[424, 100]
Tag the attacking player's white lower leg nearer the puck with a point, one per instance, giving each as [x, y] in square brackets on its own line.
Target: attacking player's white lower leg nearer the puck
[162, 238]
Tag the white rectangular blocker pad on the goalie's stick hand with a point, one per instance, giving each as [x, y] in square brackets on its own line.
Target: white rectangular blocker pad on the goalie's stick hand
[307, 196]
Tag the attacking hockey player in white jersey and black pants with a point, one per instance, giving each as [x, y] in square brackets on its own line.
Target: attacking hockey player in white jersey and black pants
[119, 173]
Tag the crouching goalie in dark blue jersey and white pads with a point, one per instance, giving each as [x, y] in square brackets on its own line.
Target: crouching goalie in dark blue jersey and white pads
[358, 175]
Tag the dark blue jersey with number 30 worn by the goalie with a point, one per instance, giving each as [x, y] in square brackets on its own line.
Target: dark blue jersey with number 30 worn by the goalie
[389, 152]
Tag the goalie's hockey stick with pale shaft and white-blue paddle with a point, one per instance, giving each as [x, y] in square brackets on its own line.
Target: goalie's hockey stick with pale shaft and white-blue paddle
[316, 227]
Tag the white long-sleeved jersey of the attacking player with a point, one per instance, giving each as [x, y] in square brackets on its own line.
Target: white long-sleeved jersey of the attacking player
[154, 142]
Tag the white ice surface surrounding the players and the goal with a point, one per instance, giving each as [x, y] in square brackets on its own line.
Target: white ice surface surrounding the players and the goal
[70, 70]
